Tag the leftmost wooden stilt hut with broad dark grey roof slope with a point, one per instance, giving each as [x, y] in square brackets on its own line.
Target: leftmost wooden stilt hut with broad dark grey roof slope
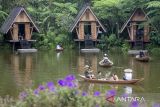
[18, 28]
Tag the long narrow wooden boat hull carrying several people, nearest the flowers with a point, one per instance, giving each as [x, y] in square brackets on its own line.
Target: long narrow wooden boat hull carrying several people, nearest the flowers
[120, 81]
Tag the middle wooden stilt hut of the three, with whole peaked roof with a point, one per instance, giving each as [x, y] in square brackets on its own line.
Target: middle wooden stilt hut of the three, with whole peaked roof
[86, 28]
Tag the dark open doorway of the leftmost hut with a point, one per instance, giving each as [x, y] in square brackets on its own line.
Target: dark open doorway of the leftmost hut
[21, 31]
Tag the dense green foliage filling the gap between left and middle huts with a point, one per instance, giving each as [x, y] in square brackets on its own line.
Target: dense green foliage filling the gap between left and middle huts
[53, 19]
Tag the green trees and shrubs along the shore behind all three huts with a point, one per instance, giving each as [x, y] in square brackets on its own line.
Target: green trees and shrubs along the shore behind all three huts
[54, 25]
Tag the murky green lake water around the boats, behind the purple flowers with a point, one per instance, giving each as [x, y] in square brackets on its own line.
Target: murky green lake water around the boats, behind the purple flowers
[21, 71]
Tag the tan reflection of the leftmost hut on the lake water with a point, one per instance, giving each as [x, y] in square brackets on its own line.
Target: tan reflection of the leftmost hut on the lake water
[22, 66]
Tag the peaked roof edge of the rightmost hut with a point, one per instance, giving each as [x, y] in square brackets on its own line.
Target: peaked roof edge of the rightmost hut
[126, 23]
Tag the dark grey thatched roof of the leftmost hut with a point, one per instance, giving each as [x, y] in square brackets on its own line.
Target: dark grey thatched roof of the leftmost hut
[11, 18]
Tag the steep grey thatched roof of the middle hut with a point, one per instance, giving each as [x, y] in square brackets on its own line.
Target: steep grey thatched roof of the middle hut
[80, 14]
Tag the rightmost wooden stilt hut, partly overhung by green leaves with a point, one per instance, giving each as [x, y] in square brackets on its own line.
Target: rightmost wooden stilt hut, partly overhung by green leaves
[138, 29]
